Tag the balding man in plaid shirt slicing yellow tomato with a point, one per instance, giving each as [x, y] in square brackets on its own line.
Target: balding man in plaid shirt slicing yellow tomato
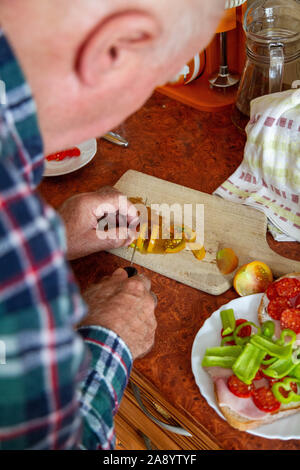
[88, 65]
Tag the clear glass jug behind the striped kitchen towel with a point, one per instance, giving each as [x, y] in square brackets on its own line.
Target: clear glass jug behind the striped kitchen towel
[272, 29]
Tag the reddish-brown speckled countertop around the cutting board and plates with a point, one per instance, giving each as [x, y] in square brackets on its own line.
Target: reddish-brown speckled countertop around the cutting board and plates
[195, 149]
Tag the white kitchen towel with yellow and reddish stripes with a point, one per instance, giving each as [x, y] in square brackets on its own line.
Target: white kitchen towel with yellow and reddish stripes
[269, 177]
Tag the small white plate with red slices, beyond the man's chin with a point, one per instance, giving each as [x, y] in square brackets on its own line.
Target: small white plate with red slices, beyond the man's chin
[71, 159]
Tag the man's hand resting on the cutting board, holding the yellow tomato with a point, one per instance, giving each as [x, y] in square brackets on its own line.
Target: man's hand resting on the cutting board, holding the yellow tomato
[81, 214]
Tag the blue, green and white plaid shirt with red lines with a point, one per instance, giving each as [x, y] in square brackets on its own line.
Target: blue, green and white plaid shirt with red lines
[59, 389]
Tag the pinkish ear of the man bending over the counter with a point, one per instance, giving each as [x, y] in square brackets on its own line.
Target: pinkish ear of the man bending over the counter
[114, 44]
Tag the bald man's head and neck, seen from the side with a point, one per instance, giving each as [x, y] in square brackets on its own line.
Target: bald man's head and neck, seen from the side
[92, 63]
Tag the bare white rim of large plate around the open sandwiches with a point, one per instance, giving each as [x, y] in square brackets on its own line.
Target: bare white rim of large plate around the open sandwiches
[208, 336]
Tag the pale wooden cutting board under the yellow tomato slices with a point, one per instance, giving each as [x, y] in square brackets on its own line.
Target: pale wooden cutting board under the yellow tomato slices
[226, 224]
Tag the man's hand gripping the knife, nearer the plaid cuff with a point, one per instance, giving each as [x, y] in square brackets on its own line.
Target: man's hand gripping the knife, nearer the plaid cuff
[125, 306]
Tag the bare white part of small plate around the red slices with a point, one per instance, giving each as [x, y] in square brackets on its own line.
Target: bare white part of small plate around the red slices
[88, 151]
